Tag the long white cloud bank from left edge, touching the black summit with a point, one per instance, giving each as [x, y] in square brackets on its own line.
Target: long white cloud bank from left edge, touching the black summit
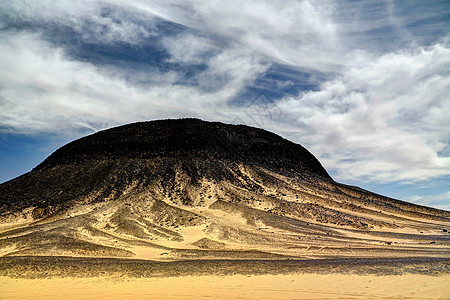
[44, 90]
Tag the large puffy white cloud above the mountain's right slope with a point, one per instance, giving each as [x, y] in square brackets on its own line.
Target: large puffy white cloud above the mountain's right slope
[384, 120]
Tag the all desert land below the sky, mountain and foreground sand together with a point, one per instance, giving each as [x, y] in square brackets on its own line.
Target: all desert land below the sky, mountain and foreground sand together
[158, 208]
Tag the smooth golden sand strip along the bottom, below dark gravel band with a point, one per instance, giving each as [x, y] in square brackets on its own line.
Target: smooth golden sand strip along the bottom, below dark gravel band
[300, 286]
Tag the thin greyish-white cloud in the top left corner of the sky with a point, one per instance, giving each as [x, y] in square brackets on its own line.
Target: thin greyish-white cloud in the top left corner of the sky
[88, 18]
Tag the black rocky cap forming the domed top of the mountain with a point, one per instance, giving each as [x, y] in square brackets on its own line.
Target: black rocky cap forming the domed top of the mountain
[189, 139]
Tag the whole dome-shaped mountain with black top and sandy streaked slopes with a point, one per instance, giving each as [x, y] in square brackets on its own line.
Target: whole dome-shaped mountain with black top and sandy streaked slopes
[175, 190]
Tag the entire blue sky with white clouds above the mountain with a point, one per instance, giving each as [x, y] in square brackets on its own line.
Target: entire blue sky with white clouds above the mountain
[363, 85]
